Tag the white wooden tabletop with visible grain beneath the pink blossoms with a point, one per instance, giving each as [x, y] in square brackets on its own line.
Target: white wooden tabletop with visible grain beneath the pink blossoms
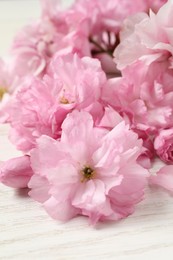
[27, 232]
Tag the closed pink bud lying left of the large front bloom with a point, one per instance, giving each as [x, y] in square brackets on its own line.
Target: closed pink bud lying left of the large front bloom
[16, 172]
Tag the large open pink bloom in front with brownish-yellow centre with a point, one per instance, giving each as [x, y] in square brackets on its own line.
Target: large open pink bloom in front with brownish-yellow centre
[90, 171]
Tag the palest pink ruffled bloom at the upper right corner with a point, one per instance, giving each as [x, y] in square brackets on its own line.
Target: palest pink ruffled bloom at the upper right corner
[146, 38]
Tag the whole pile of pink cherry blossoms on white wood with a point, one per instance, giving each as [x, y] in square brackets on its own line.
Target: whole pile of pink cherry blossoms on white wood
[88, 93]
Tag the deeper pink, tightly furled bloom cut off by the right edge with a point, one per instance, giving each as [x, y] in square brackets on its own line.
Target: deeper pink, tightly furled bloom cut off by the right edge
[163, 145]
